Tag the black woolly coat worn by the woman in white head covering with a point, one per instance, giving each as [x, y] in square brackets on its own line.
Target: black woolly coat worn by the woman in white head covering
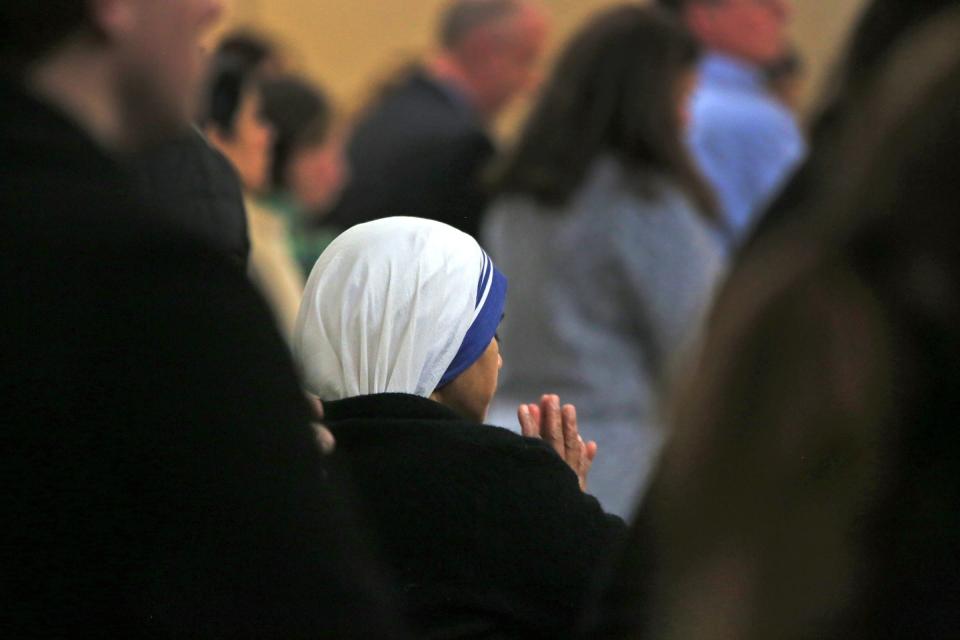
[487, 532]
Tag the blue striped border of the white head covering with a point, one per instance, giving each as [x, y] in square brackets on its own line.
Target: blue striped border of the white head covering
[491, 298]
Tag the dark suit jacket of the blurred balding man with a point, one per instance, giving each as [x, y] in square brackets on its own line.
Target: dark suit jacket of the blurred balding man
[420, 151]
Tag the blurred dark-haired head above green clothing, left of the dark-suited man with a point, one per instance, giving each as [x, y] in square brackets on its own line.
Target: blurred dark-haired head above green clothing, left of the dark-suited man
[307, 160]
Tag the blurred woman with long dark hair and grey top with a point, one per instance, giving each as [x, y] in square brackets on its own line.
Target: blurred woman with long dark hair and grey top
[612, 238]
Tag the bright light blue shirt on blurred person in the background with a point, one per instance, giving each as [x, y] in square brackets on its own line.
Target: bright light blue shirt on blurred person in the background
[745, 141]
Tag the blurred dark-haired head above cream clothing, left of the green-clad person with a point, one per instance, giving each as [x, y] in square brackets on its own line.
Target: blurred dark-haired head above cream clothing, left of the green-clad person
[233, 121]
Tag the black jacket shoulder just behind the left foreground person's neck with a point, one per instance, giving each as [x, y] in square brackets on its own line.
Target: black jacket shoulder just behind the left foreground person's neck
[198, 187]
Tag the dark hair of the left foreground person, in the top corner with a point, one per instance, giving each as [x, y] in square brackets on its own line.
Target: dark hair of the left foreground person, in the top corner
[31, 28]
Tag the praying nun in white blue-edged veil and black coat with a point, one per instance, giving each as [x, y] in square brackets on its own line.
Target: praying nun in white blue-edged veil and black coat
[488, 533]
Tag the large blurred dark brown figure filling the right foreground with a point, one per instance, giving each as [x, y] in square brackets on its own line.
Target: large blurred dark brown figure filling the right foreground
[811, 488]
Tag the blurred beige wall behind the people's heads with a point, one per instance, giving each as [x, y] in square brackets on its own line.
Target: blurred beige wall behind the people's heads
[348, 44]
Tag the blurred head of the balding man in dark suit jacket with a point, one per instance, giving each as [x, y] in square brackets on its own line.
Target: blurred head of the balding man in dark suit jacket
[497, 45]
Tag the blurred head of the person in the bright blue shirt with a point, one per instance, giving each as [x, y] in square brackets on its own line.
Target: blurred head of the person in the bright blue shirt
[753, 30]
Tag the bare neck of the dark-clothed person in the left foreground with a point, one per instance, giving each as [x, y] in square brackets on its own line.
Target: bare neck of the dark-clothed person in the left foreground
[80, 82]
